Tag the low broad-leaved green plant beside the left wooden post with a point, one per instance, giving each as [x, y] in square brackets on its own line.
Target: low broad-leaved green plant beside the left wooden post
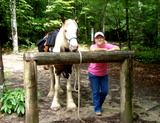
[13, 100]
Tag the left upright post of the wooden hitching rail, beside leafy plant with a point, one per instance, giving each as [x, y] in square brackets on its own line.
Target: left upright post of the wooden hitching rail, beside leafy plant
[30, 82]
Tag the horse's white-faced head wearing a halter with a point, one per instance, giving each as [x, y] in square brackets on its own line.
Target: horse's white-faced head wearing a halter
[70, 32]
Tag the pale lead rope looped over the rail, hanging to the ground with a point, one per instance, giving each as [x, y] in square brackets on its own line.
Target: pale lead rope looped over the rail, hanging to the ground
[78, 110]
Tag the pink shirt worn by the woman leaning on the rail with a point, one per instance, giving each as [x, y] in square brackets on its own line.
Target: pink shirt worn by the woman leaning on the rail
[99, 69]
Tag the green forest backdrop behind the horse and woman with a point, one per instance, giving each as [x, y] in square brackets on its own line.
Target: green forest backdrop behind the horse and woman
[135, 23]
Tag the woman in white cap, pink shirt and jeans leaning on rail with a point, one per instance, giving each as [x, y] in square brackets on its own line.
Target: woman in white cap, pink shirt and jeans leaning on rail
[98, 73]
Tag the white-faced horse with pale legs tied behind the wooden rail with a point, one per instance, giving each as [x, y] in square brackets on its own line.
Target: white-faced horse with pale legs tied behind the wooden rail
[66, 41]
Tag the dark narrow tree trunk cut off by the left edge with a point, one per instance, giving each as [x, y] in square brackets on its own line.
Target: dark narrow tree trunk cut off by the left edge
[1, 67]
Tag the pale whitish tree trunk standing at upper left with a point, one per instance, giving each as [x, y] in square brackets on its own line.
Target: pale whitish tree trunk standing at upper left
[14, 25]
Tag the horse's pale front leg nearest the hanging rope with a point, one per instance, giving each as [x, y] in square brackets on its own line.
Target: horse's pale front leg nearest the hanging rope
[70, 103]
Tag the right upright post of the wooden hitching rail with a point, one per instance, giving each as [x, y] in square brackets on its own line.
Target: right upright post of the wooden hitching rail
[126, 91]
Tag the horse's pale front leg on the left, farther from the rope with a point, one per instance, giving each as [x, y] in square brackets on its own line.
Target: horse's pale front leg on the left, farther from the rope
[55, 103]
